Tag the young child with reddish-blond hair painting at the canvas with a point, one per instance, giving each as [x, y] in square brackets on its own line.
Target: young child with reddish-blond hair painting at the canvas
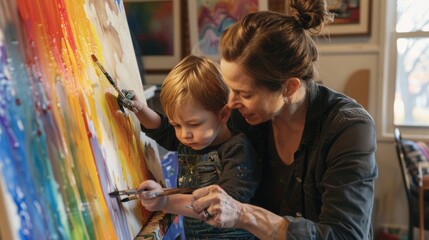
[193, 98]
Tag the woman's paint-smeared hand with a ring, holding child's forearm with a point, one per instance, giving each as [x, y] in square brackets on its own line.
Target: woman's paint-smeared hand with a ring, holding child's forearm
[216, 207]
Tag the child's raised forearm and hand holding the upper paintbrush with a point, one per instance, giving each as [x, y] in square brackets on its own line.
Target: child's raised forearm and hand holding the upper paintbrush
[147, 117]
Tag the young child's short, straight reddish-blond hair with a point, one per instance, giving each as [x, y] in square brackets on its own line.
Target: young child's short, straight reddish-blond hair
[197, 78]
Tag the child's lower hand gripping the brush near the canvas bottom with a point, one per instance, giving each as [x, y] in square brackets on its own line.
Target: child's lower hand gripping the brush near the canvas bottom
[154, 203]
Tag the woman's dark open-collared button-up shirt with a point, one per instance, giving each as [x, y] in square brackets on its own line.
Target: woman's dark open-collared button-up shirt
[329, 189]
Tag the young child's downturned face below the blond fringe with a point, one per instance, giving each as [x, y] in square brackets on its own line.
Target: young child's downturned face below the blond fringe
[197, 127]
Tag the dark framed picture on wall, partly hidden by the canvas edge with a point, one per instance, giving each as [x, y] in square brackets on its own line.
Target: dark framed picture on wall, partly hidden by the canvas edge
[155, 30]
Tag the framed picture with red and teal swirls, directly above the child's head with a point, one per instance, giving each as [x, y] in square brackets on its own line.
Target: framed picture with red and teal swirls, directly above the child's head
[208, 19]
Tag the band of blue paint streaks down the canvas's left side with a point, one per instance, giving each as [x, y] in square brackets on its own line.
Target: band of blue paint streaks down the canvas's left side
[28, 176]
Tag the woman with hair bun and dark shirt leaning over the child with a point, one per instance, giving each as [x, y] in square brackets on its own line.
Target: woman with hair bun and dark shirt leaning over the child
[317, 146]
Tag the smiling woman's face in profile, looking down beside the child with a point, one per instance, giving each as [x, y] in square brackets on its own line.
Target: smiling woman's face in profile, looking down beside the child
[256, 104]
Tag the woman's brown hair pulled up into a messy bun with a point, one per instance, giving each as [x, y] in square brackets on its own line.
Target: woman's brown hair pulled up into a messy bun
[273, 46]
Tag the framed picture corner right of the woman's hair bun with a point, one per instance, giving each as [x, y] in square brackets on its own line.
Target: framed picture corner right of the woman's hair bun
[352, 18]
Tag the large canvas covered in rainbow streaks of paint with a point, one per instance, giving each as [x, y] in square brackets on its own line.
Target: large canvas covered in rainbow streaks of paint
[64, 144]
